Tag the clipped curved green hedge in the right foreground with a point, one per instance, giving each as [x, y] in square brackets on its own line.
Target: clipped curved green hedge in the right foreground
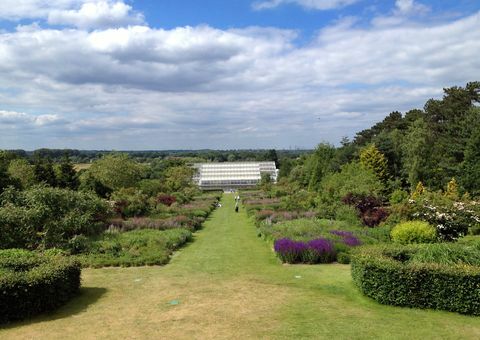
[391, 275]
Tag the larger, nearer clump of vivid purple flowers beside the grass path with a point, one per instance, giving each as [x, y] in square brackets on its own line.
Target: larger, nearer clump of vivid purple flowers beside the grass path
[314, 251]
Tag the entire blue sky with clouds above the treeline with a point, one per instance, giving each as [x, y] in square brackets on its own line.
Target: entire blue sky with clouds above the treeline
[236, 74]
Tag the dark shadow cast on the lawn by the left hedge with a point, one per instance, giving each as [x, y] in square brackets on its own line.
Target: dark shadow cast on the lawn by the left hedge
[80, 303]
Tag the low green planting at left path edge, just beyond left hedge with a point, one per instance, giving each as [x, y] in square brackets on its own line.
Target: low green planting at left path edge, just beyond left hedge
[133, 248]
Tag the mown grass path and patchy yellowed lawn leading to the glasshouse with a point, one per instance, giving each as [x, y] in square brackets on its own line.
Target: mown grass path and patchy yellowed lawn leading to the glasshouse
[228, 284]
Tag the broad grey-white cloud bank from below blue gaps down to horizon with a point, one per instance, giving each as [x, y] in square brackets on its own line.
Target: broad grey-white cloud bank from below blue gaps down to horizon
[196, 87]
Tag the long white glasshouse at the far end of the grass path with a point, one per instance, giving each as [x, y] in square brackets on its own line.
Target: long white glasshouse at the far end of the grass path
[213, 176]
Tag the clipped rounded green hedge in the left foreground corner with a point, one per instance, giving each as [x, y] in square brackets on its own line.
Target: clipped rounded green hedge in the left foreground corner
[31, 283]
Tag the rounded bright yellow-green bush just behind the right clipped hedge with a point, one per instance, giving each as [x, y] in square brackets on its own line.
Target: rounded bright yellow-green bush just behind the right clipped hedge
[414, 232]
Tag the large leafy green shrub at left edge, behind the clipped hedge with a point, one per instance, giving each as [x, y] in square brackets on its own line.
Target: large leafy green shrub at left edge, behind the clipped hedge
[48, 217]
